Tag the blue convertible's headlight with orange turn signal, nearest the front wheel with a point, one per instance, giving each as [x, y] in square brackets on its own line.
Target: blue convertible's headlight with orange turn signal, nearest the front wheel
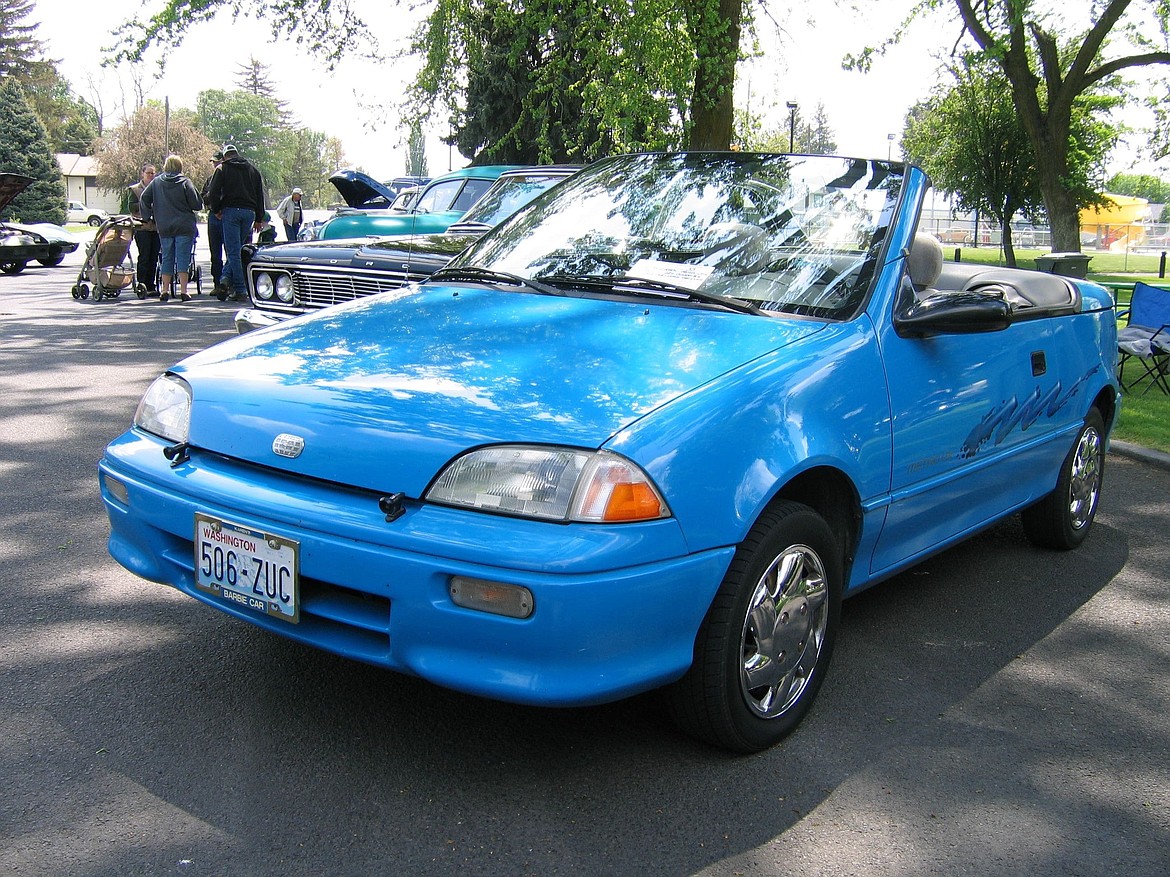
[552, 485]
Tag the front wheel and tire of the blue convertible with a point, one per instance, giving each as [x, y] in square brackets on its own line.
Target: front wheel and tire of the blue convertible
[766, 645]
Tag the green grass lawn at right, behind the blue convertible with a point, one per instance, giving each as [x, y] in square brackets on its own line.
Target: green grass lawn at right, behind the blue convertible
[1145, 418]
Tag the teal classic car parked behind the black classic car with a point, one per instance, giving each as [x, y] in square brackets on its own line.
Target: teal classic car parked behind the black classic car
[441, 204]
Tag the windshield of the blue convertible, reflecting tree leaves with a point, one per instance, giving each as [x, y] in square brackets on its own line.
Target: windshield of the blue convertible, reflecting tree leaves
[788, 234]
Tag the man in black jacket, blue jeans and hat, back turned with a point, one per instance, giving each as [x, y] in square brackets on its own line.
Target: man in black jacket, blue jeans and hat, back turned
[237, 196]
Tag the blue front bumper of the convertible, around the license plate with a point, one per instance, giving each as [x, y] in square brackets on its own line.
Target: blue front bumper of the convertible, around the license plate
[617, 609]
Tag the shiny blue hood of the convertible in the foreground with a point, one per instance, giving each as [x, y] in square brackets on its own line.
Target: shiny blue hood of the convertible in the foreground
[387, 390]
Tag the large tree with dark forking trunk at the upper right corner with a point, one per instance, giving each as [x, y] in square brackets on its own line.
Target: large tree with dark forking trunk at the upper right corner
[1052, 64]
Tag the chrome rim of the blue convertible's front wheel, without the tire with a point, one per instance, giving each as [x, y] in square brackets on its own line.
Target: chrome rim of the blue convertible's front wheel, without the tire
[784, 632]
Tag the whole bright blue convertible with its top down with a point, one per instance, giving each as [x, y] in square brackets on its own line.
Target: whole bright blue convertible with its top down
[648, 433]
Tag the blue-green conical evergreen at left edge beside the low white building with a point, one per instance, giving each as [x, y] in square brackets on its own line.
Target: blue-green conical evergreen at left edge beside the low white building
[25, 149]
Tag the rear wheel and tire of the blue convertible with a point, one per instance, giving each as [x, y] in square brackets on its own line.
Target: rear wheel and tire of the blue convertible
[1063, 520]
